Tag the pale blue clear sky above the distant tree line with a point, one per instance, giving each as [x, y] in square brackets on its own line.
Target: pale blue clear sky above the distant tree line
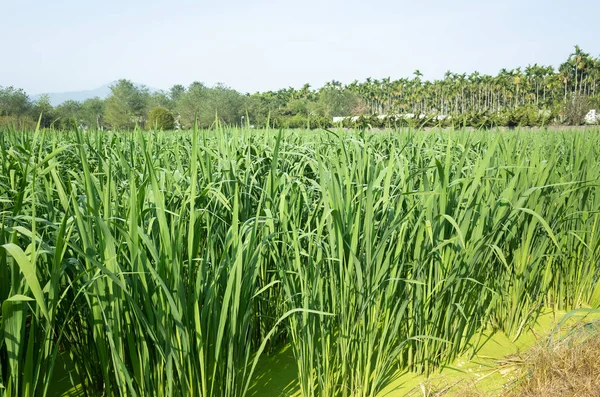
[260, 45]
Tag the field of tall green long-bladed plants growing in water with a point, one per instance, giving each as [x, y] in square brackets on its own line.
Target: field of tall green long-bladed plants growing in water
[168, 264]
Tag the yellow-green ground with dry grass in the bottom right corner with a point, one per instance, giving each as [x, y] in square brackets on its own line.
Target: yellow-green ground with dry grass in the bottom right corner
[561, 362]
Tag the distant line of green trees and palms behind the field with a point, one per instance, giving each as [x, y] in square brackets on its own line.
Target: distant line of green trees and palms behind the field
[536, 95]
